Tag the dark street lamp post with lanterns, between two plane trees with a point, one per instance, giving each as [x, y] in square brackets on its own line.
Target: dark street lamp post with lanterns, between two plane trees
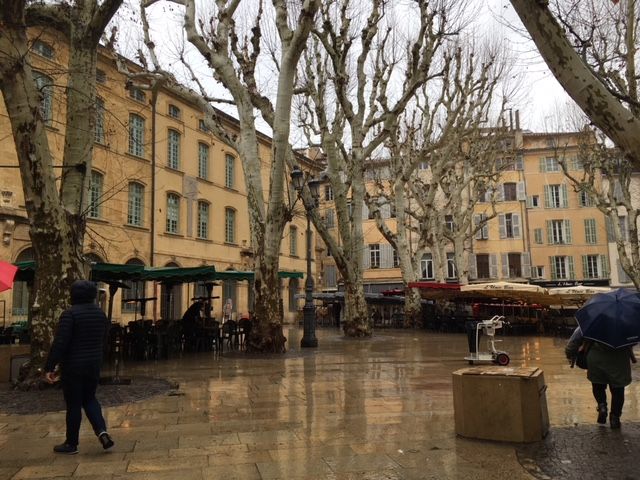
[299, 180]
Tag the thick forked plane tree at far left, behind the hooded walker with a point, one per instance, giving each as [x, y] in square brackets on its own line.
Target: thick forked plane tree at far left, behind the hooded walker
[56, 217]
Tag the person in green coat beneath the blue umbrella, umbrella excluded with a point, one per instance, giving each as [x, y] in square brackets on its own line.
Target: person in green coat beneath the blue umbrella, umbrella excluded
[606, 366]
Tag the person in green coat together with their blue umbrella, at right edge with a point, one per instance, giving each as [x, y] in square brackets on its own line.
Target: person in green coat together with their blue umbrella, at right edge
[608, 328]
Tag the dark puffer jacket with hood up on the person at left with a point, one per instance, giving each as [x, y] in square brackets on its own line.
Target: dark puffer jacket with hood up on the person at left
[81, 333]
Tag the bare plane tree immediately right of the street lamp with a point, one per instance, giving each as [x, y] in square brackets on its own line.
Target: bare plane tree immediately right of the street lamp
[362, 72]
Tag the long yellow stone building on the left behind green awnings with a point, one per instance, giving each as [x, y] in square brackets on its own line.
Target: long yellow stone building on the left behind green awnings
[164, 191]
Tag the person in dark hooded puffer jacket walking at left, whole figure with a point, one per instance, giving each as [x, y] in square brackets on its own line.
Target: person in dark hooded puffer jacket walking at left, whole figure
[75, 358]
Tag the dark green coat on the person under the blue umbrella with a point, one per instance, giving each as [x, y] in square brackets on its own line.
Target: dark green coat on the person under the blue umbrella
[609, 366]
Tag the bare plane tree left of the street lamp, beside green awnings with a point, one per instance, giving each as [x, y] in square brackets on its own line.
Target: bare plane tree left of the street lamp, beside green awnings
[233, 55]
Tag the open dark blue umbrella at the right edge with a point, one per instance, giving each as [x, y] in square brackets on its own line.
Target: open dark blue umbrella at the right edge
[612, 318]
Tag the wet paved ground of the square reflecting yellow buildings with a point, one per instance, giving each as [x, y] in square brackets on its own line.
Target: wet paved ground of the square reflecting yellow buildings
[350, 409]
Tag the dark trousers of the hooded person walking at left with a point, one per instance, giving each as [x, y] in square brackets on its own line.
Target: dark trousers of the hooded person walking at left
[79, 389]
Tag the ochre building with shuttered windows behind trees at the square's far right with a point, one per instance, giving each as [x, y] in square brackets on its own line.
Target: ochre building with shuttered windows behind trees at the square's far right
[544, 232]
